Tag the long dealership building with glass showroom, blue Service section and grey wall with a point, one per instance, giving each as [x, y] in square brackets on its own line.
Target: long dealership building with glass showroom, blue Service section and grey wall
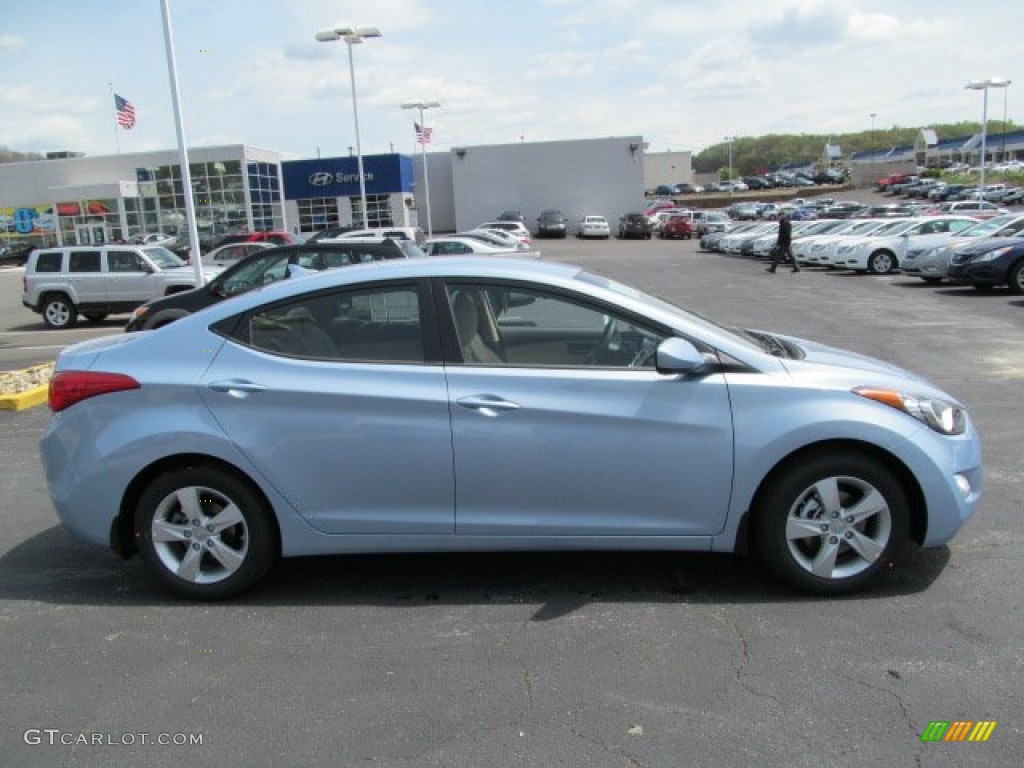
[78, 200]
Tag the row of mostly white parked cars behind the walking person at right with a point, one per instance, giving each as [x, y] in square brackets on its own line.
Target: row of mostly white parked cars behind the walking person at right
[987, 253]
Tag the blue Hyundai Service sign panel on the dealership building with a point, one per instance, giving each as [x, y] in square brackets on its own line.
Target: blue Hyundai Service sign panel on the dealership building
[339, 178]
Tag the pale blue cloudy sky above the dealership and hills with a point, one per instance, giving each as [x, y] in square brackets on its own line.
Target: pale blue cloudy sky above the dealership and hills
[684, 74]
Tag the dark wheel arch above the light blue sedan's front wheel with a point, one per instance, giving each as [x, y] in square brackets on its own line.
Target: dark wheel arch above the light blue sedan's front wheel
[907, 480]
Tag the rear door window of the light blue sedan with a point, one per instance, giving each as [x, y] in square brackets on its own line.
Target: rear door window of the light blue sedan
[380, 325]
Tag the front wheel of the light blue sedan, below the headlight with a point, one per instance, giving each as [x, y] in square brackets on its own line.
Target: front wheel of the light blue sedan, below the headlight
[809, 532]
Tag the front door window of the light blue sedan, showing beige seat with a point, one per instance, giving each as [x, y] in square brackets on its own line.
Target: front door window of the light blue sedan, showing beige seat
[524, 326]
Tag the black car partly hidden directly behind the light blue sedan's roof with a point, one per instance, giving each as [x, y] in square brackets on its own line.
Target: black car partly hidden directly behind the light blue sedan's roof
[266, 268]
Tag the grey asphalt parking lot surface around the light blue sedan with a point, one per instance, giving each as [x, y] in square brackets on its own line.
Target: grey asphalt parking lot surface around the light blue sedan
[626, 660]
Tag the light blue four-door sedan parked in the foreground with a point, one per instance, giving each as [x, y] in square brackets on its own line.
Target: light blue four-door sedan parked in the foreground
[483, 404]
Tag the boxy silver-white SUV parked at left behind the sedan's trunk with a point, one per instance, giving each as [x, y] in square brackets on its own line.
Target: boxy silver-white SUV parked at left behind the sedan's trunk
[97, 281]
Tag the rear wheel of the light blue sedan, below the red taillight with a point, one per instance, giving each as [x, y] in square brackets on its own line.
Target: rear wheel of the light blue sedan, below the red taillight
[215, 534]
